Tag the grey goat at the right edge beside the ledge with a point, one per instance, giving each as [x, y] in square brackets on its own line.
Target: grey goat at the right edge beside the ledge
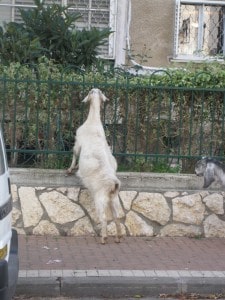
[212, 170]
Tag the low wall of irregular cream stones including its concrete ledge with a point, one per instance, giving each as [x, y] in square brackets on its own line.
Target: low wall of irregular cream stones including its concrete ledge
[48, 202]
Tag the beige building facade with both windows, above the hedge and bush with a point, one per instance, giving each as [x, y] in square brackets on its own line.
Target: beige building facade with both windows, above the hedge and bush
[150, 33]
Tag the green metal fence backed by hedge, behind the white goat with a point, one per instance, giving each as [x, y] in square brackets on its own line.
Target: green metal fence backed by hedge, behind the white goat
[149, 127]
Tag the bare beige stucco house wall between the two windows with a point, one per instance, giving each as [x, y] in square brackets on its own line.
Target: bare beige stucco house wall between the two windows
[152, 27]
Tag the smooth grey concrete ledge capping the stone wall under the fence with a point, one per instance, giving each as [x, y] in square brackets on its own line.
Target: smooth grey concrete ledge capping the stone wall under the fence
[134, 181]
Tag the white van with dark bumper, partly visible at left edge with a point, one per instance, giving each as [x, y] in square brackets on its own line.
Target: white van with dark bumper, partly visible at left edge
[9, 262]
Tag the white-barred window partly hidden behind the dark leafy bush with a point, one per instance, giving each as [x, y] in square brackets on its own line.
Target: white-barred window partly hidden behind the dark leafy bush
[94, 13]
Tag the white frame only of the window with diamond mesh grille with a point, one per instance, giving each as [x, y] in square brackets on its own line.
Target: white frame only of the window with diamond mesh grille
[193, 57]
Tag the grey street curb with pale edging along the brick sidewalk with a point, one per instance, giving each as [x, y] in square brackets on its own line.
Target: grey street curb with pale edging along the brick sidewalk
[118, 284]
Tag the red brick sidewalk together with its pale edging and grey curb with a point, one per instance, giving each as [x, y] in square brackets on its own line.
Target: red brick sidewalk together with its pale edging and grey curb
[82, 267]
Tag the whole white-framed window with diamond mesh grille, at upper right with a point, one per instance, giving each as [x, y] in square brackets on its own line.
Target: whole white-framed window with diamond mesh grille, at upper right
[200, 29]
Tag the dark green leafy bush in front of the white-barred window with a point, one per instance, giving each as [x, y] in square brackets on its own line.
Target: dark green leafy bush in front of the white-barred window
[50, 31]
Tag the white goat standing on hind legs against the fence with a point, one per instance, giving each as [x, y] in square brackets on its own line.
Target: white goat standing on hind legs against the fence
[97, 166]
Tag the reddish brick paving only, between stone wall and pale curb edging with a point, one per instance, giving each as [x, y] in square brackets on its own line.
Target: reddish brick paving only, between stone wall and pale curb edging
[133, 253]
